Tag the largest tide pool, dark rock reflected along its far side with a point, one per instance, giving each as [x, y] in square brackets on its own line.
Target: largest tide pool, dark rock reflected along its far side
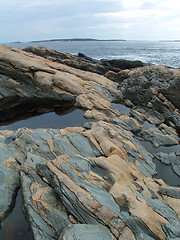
[34, 113]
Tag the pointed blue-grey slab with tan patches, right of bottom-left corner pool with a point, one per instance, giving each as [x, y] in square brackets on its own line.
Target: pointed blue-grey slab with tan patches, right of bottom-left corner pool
[45, 212]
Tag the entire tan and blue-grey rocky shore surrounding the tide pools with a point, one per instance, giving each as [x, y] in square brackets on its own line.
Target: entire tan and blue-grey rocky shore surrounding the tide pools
[97, 180]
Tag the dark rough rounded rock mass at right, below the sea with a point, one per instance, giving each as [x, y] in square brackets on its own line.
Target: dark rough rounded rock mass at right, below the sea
[145, 86]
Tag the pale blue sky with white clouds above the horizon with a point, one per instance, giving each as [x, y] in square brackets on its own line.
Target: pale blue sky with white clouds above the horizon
[26, 20]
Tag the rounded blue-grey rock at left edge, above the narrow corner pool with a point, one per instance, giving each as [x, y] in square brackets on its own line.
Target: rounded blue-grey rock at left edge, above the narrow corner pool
[9, 177]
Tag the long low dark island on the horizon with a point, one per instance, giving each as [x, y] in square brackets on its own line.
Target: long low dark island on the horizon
[78, 39]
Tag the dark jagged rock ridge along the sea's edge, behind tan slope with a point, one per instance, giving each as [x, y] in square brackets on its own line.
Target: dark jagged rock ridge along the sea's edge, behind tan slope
[83, 62]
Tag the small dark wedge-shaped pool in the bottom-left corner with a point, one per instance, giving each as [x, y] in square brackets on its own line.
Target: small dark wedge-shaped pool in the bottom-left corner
[14, 226]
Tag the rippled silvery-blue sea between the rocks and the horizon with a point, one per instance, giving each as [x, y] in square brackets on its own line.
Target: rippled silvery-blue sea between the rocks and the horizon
[152, 52]
